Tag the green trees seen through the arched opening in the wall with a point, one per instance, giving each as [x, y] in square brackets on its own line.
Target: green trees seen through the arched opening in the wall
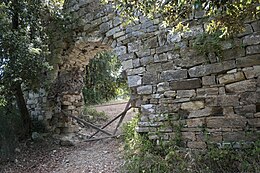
[103, 79]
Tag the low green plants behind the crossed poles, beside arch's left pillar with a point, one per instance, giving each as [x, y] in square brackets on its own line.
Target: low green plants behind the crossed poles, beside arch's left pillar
[90, 114]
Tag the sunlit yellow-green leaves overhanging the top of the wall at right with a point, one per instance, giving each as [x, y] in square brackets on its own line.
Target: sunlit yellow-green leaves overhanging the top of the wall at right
[224, 16]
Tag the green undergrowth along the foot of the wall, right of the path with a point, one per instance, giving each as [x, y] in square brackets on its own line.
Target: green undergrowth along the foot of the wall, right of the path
[146, 156]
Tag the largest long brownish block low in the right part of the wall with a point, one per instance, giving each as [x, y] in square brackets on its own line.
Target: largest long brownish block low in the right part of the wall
[233, 121]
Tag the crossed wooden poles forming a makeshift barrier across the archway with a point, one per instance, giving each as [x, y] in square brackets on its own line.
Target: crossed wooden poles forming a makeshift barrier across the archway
[122, 115]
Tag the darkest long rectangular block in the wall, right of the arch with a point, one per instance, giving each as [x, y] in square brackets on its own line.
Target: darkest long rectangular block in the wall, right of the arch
[185, 84]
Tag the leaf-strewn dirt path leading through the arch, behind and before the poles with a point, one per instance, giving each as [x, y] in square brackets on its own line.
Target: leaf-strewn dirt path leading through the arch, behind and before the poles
[104, 156]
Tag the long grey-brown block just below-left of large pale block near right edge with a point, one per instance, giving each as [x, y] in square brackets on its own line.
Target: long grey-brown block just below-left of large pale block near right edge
[223, 100]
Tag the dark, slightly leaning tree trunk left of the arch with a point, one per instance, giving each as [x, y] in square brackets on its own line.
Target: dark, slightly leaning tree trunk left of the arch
[25, 116]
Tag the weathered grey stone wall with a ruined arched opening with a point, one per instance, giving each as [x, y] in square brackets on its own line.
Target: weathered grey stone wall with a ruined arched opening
[213, 99]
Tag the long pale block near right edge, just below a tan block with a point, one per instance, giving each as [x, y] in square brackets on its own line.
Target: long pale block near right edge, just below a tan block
[242, 86]
